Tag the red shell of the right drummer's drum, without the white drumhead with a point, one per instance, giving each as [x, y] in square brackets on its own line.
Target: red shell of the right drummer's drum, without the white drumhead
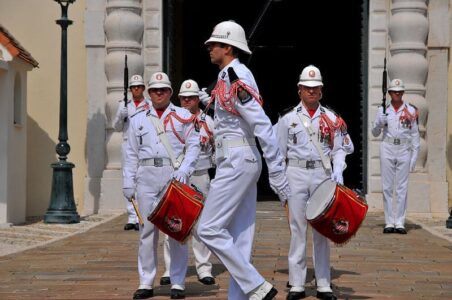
[341, 219]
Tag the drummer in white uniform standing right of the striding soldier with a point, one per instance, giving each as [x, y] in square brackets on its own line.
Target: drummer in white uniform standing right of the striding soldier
[306, 169]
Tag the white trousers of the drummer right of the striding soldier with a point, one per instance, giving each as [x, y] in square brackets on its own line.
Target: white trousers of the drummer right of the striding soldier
[302, 184]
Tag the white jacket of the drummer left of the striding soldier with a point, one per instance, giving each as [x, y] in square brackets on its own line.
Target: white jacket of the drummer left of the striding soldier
[144, 143]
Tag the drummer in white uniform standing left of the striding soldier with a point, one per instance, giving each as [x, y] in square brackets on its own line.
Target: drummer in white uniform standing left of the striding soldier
[147, 170]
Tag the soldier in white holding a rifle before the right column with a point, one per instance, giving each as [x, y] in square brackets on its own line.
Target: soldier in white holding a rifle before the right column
[398, 154]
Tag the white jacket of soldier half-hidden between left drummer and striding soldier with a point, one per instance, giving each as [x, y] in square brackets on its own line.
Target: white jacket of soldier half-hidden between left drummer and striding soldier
[205, 160]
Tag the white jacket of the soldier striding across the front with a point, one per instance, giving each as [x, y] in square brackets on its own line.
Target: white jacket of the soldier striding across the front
[251, 121]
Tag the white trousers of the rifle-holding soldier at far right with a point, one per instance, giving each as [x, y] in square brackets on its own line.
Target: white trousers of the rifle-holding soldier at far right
[395, 168]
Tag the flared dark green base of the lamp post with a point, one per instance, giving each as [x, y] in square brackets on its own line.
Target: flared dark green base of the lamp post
[62, 209]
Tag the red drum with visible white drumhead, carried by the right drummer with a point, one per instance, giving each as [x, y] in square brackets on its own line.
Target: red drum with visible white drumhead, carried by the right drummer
[335, 211]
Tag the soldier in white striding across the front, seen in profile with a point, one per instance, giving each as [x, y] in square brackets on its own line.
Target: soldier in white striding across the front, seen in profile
[227, 222]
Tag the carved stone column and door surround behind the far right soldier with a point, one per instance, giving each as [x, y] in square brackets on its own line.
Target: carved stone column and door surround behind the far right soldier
[417, 37]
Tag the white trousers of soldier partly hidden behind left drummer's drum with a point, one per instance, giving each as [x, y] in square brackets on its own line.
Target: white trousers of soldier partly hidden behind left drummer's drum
[200, 251]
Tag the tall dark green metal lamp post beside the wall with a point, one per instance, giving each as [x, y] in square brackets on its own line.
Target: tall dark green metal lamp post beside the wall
[62, 208]
